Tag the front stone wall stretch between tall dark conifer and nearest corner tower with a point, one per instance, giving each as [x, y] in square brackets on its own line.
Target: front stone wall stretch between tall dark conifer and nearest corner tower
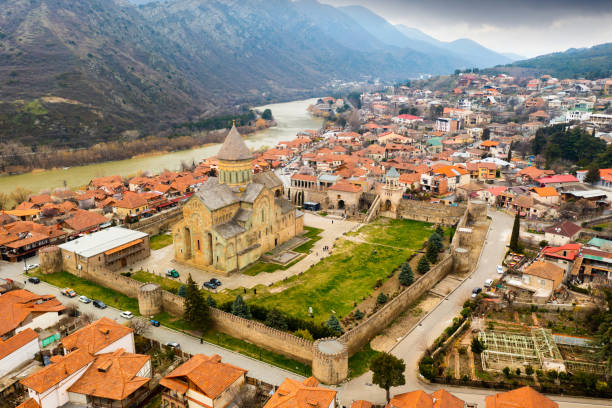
[258, 333]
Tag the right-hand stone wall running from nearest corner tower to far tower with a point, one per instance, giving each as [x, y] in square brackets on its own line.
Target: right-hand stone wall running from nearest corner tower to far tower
[359, 336]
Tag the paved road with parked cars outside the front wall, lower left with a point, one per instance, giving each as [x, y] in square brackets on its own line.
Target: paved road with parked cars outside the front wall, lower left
[257, 369]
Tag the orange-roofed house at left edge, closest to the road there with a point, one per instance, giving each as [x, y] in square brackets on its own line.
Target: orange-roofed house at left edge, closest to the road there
[22, 309]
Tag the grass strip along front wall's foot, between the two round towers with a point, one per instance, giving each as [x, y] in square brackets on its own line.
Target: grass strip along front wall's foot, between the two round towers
[239, 346]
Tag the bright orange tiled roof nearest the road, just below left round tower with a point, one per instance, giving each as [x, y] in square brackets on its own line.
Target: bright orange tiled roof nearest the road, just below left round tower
[96, 336]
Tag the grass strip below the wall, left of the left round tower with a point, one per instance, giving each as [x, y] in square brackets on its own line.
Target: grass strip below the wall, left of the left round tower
[90, 289]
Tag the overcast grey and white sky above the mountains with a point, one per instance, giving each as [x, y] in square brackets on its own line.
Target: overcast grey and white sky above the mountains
[525, 27]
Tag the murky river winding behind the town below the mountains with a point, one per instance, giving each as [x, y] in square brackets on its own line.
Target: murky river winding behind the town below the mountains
[291, 117]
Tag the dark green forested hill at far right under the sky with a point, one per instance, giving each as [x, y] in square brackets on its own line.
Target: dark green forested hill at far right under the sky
[590, 63]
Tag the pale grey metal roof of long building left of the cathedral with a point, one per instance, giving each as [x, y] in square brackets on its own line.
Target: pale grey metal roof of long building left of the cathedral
[102, 241]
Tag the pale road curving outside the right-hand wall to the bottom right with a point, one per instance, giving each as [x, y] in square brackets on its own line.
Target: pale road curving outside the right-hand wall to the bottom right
[412, 346]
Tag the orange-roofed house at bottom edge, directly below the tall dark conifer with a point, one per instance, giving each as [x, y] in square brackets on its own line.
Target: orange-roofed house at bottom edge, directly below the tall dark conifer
[202, 381]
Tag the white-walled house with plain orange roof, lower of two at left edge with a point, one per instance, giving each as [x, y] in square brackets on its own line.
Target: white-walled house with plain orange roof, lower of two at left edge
[17, 350]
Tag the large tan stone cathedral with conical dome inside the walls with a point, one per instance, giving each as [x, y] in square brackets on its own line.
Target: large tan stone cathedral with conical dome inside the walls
[236, 217]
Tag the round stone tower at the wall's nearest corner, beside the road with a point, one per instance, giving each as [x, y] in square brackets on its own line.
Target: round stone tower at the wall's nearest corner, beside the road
[330, 361]
